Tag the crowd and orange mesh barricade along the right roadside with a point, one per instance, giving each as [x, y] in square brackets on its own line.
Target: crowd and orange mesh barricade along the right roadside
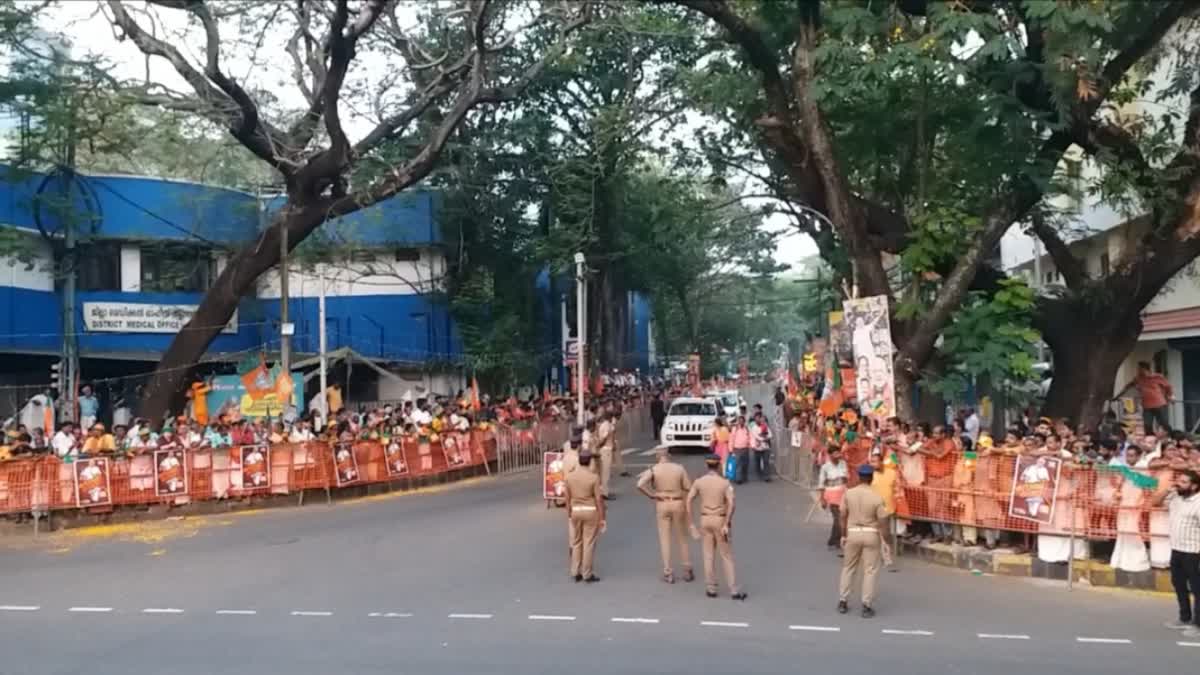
[1130, 497]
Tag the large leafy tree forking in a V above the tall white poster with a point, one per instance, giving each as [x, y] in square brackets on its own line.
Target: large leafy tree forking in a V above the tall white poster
[872, 115]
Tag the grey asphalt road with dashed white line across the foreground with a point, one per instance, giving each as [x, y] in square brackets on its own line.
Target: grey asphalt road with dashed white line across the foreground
[473, 580]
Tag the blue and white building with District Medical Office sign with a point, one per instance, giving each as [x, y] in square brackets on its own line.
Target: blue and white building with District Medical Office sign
[149, 249]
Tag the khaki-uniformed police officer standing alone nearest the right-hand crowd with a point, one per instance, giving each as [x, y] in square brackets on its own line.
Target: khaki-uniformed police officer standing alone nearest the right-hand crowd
[863, 524]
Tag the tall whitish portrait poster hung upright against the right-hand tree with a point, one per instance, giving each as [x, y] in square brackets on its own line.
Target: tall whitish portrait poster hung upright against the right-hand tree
[869, 330]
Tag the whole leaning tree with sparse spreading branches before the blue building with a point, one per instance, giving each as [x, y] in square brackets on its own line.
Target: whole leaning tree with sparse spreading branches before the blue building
[367, 63]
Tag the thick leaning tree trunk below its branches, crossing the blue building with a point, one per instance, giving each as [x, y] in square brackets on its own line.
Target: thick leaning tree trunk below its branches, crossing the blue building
[166, 389]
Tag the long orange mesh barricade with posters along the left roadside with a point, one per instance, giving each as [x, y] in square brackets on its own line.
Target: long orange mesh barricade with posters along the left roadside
[101, 483]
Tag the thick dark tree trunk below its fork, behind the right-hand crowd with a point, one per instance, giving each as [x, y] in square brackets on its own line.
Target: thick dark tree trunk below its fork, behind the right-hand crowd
[1088, 350]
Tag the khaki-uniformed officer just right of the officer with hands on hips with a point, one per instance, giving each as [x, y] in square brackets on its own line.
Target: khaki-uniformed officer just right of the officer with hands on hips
[716, 525]
